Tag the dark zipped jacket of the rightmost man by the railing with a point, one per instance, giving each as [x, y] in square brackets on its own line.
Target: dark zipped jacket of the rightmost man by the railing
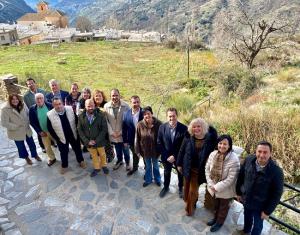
[260, 190]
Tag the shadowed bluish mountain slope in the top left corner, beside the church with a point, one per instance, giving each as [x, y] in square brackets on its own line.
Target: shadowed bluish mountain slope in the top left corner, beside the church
[11, 10]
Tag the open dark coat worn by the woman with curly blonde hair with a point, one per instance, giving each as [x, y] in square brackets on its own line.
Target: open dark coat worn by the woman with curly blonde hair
[187, 151]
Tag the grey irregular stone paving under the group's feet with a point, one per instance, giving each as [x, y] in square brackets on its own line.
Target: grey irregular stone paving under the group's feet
[39, 200]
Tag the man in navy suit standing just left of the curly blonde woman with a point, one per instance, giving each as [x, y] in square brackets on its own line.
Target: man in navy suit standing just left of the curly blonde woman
[170, 137]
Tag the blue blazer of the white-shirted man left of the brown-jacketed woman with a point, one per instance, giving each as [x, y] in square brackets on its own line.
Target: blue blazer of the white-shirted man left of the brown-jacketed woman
[128, 128]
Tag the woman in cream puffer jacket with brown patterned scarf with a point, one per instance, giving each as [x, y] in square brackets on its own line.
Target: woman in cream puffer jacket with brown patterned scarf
[221, 173]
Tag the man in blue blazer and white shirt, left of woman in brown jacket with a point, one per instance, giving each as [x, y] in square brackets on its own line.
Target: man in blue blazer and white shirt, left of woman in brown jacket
[130, 120]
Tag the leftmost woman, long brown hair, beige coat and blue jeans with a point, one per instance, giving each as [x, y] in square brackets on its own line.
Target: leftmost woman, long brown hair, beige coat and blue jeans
[14, 117]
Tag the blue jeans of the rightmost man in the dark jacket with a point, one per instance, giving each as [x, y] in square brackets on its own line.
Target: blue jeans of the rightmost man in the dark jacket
[251, 216]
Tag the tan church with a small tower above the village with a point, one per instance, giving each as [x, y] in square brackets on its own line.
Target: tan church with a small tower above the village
[45, 17]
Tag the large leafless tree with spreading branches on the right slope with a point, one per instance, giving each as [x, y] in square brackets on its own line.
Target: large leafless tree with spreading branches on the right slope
[245, 36]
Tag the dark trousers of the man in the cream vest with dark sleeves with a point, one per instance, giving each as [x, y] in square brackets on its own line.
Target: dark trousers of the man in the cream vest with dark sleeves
[64, 151]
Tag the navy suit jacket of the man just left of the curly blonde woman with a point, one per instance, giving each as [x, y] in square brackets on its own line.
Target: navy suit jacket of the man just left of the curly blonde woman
[164, 141]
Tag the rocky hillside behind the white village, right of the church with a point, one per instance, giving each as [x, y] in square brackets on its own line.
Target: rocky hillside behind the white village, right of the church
[169, 16]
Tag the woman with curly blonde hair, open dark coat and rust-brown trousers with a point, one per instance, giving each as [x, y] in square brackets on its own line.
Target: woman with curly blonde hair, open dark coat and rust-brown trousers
[195, 149]
